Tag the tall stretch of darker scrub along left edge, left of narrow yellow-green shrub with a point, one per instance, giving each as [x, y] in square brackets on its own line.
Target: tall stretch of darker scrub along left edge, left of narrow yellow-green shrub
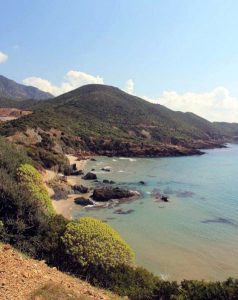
[22, 216]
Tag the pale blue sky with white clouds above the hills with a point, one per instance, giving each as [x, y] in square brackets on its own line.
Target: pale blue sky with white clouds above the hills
[179, 53]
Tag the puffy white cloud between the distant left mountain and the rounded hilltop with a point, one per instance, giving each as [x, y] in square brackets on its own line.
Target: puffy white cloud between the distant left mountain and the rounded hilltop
[72, 80]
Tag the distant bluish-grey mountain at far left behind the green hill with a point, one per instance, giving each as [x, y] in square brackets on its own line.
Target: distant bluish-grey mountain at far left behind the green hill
[10, 89]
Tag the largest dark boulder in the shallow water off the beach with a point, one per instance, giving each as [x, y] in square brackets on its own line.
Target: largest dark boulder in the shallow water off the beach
[106, 193]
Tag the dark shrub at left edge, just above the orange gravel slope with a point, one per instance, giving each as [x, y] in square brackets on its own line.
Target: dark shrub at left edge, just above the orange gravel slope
[23, 217]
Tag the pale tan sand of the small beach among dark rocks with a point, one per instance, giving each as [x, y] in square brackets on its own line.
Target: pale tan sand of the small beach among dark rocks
[65, 206]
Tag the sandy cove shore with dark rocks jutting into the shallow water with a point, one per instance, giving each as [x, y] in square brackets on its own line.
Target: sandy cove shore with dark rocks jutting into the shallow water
[73, 187]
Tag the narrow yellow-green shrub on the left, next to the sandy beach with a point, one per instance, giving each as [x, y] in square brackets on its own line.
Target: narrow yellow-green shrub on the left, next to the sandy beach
[31, 180]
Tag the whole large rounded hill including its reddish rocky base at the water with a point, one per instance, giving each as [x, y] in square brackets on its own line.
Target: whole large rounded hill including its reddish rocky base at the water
[107, 121]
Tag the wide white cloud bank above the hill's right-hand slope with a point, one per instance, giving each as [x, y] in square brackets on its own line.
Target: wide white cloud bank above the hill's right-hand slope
[216, 105]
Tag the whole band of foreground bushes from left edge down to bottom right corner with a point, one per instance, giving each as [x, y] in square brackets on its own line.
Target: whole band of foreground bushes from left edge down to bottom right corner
[87, 248]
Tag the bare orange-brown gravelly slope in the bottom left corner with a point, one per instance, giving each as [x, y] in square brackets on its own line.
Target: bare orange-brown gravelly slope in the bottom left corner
[23, 278]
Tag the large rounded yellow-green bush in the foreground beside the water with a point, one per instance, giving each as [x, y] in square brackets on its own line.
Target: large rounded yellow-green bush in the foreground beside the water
[89, 241]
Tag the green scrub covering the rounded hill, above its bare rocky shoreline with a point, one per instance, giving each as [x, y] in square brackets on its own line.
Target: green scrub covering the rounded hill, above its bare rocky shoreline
[107, 112]
